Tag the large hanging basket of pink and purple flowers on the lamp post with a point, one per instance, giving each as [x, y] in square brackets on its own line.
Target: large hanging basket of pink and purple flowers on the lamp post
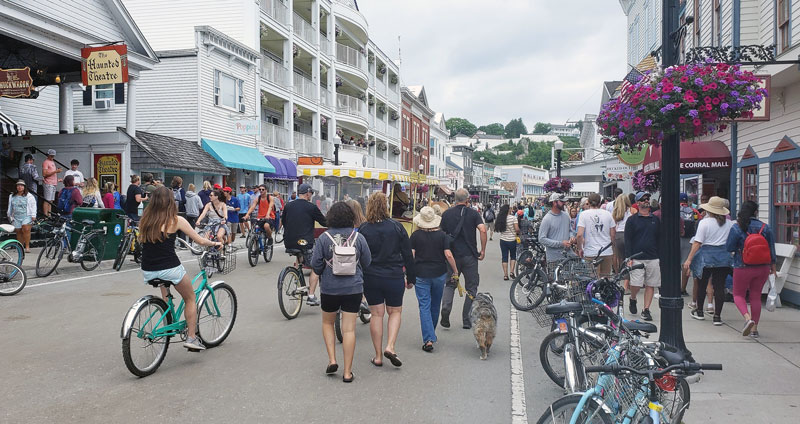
[689, 100]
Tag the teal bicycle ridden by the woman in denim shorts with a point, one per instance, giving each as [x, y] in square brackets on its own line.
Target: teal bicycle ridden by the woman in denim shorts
[151, 322]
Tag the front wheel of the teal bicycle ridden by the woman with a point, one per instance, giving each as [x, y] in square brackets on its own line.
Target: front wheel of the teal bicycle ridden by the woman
[216, 314]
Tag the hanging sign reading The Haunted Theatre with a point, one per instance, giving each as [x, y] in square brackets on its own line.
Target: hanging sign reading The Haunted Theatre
[104, 65]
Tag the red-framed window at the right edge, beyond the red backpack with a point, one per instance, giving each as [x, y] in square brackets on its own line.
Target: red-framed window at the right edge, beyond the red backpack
[786, 201]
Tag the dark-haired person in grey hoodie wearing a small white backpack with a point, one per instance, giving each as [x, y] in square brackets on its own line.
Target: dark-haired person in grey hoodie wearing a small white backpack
[340, 292]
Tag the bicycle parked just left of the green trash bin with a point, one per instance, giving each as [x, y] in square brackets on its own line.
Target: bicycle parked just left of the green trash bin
[88, 251]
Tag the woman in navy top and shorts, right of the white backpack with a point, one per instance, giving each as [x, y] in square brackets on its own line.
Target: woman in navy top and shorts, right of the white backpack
[384, 279]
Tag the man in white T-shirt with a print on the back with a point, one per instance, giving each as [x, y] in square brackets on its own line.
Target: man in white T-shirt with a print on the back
[596, 229]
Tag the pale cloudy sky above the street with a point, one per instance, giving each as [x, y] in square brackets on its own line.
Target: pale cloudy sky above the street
[494, 60]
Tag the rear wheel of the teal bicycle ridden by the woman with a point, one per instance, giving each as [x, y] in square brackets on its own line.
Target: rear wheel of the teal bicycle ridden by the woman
[144, 353]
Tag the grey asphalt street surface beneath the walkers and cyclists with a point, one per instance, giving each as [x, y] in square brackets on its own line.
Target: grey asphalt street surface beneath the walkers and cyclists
[62, 360]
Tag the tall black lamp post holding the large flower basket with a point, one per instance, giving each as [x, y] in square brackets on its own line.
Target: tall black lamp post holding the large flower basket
[670, 302]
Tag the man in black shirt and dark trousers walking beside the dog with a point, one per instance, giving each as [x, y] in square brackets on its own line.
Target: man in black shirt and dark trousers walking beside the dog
[461, 222]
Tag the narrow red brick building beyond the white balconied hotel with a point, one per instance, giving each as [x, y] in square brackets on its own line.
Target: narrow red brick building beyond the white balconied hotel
[415, 130]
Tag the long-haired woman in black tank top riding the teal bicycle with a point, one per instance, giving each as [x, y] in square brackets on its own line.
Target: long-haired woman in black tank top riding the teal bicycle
[157, 231]
